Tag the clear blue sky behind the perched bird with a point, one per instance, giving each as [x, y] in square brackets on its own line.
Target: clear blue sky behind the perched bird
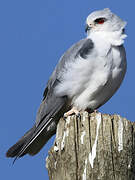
[33, 36]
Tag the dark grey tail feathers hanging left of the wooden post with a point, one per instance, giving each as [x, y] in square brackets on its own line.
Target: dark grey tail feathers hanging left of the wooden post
[33, 140]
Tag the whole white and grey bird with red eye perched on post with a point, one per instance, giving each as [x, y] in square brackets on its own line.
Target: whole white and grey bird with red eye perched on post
[85, 78]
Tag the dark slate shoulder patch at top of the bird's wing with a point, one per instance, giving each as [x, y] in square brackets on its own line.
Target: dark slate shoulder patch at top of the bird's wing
[85, 49]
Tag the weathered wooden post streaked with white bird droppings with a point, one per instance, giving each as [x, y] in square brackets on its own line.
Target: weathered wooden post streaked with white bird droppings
[93, 147]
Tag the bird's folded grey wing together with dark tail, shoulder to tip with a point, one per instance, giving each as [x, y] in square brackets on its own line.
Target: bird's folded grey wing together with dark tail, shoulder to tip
[52, 107]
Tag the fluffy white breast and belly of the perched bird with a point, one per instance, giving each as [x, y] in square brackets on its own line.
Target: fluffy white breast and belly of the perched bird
[91, 82]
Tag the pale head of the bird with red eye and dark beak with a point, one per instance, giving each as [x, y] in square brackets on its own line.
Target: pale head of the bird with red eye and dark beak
[104, 20]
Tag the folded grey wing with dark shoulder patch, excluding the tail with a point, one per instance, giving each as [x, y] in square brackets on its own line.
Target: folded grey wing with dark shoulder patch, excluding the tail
[82, 49]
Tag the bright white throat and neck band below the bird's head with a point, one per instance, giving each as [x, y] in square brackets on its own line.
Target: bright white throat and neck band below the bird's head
[115, 38]
